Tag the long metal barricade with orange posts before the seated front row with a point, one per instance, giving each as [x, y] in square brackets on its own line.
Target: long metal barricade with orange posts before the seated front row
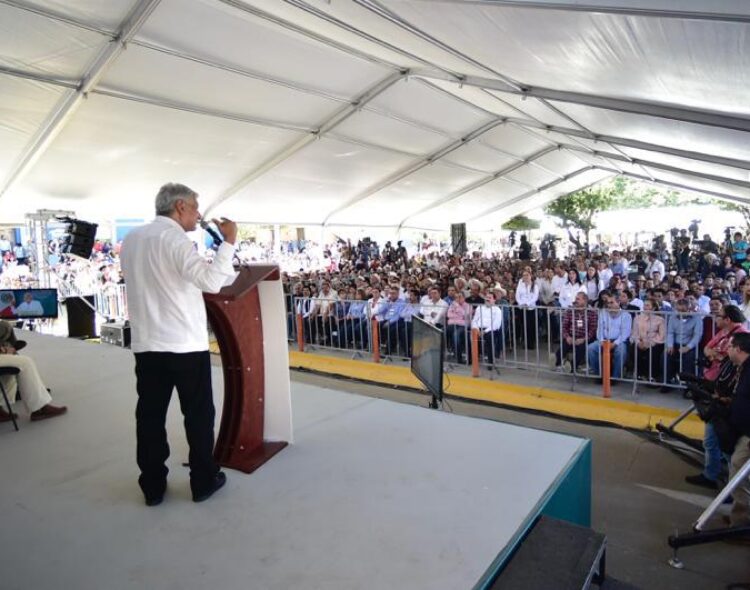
[572, 342]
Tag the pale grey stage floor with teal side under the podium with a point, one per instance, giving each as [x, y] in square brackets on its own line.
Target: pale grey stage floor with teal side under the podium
[373, 494]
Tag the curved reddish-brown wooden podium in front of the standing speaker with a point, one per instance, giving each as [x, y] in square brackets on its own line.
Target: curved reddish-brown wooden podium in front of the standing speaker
[236, 318]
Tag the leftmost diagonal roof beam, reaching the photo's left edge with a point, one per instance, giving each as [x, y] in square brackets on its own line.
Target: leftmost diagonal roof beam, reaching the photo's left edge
[71, 100]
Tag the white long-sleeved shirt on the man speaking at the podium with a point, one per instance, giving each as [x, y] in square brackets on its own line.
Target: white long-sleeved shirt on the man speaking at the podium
[165, 279]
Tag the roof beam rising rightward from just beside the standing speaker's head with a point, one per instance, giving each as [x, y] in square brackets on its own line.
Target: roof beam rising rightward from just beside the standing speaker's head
[331, 123]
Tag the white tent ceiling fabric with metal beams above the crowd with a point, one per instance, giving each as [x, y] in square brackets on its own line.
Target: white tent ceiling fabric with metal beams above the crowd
[388, 113]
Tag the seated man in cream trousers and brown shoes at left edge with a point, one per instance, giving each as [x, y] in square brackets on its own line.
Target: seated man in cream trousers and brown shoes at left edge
[33, 391]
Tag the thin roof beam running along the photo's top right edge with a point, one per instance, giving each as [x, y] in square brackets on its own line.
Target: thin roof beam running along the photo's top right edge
[608, 8]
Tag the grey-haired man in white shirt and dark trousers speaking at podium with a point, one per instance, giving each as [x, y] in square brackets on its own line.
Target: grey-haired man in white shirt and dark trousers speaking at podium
[166, 277]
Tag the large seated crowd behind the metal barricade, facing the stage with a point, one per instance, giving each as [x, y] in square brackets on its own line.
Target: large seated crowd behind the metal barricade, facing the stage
[661, 313]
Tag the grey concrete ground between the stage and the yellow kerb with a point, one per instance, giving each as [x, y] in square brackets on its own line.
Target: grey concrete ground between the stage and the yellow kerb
[639, 497]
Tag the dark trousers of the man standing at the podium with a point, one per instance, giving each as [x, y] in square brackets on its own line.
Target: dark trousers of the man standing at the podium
[158, 373]
